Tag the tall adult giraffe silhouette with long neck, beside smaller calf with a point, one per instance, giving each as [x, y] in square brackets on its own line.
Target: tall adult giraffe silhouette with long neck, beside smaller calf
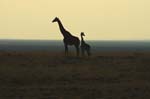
[69, 39]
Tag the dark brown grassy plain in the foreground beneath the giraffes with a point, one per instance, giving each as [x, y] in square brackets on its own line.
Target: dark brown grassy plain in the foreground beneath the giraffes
[45, 75]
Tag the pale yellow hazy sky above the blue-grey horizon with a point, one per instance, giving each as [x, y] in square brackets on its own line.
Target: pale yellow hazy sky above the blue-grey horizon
[98, 19]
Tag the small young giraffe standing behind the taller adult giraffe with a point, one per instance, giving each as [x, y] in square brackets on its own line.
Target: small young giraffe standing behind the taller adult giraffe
[84, 46]
